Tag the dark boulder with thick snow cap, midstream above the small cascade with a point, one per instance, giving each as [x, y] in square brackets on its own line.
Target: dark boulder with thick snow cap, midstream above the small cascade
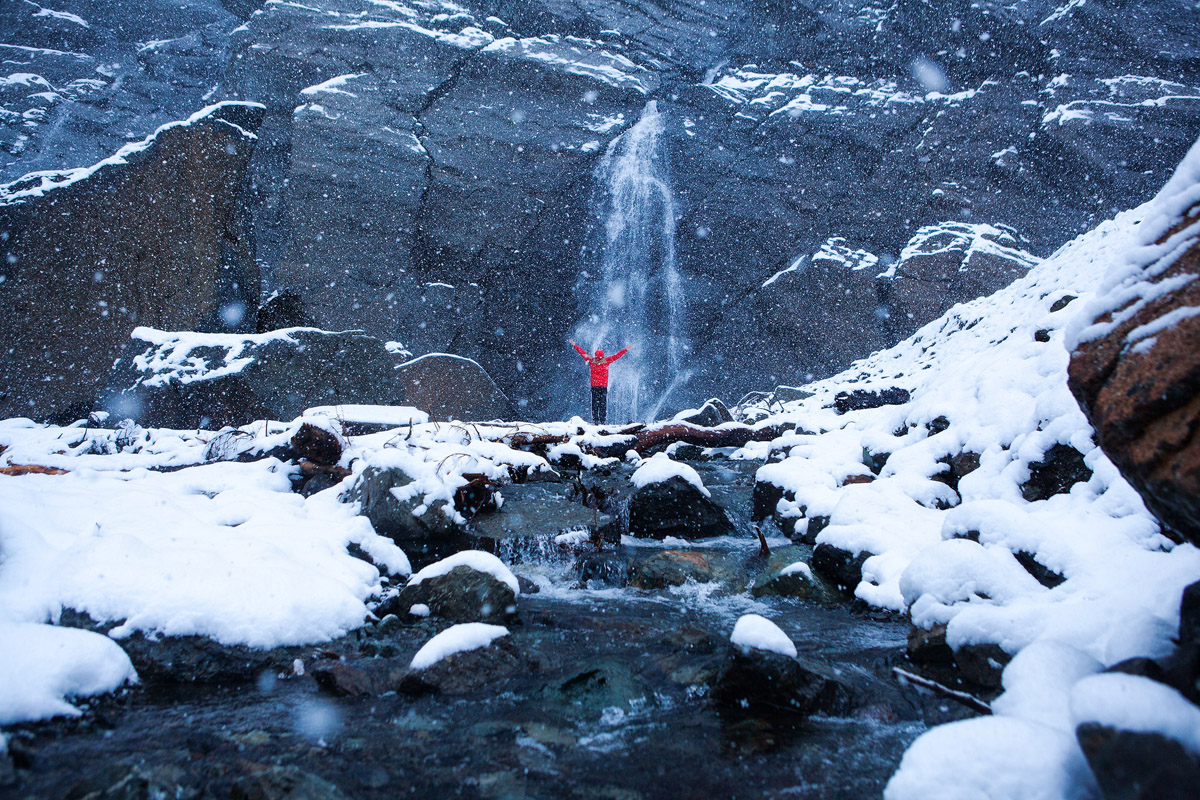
[670, 500]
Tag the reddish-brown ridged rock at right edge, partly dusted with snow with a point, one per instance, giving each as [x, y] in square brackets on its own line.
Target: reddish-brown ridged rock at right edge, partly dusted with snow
[1143, 396]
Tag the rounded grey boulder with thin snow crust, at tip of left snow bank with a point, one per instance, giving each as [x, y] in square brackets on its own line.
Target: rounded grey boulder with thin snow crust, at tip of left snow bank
[469, 587]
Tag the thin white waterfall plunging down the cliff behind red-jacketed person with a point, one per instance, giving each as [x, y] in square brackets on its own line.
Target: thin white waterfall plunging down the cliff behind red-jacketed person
[635, 296]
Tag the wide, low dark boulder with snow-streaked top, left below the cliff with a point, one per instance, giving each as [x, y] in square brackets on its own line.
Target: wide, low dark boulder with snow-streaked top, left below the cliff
[187, 381]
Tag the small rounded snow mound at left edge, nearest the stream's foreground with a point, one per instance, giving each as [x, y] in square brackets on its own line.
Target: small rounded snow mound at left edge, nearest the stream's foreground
[45, 666]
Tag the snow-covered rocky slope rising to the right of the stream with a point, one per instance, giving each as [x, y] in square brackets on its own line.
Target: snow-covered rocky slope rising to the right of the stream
[991, 378]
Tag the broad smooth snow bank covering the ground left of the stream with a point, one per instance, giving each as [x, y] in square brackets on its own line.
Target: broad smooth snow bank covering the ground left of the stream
[223, 550]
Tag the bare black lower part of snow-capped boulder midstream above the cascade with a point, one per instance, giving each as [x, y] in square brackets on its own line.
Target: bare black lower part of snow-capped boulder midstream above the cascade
[676, 508]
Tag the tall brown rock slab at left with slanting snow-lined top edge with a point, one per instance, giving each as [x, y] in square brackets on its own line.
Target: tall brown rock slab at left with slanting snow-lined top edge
[157, 238]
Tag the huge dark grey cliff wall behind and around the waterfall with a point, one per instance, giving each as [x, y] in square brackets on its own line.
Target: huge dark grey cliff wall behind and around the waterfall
[428, 172]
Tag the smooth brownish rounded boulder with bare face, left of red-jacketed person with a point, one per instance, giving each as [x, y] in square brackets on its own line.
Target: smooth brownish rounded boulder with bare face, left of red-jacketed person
[453, 388]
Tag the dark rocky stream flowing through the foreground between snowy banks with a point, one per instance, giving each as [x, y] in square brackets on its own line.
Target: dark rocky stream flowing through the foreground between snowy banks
[617, 679]
